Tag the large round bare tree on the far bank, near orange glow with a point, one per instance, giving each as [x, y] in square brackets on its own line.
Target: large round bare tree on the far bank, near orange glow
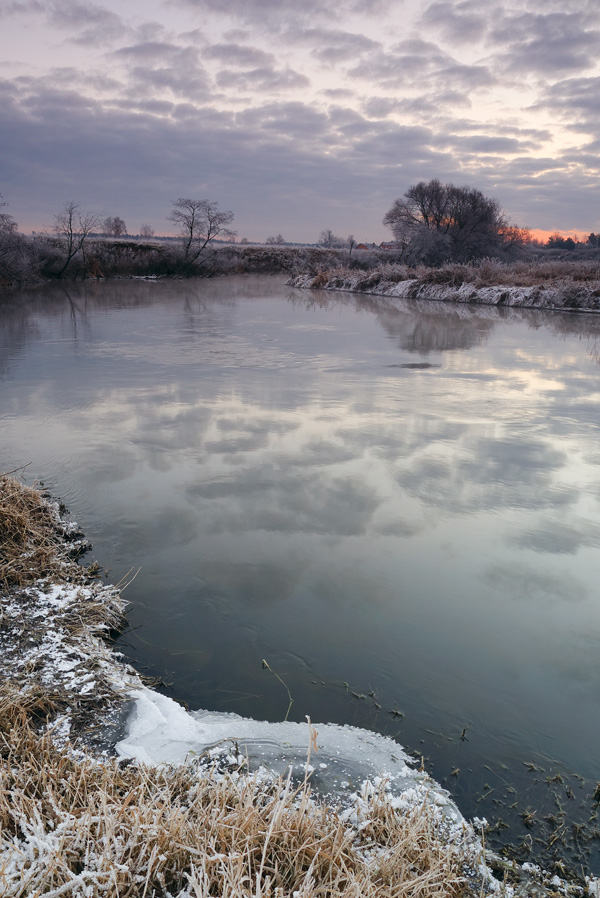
[436, 221]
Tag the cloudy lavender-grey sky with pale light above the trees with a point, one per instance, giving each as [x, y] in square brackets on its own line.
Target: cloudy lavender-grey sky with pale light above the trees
[299, 115]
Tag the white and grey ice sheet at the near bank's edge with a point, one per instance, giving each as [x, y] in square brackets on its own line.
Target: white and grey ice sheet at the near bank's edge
[161, 731]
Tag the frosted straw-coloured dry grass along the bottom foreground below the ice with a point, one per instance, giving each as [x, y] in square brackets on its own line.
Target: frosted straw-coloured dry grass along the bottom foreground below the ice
[78, 827]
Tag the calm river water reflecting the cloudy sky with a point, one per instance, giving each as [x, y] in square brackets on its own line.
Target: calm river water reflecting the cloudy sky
[397, 508]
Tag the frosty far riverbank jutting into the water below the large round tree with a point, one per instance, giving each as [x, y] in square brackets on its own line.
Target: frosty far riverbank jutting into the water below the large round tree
[464, 284]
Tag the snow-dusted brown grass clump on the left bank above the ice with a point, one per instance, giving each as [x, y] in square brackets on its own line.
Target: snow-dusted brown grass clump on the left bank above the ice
[53, 610]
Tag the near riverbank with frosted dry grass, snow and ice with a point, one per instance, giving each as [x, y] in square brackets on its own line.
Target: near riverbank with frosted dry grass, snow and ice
[90, 807]
